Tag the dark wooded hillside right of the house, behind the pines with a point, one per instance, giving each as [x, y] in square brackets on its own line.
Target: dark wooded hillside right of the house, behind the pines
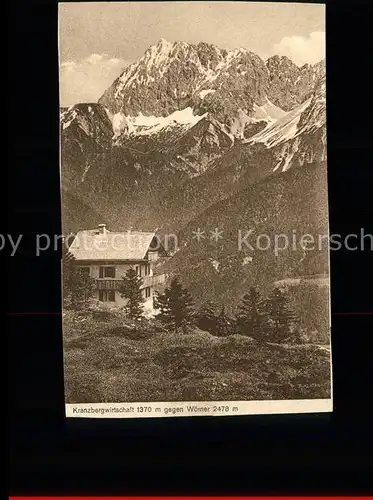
[292, 203]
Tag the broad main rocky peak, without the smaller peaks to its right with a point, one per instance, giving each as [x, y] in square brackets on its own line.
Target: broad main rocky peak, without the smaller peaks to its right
[170, 75]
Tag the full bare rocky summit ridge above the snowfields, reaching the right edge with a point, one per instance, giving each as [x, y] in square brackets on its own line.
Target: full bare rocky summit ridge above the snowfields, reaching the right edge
[173, 76]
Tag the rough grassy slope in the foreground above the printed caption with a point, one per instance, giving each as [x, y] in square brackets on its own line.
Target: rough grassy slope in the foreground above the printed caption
[109, 361]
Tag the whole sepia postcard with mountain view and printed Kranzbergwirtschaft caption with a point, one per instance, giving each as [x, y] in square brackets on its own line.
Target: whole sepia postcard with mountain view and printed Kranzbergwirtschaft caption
[195, 268]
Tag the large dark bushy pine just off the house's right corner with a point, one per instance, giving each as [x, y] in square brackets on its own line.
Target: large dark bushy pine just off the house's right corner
[175, 305]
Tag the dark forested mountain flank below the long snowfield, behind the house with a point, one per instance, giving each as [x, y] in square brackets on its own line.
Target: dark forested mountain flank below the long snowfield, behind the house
[127, 181]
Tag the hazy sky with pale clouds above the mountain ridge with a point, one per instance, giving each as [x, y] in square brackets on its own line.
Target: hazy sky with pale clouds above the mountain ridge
[97, 40]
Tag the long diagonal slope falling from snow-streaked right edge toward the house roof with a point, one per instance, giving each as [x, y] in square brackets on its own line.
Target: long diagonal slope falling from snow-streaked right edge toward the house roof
[297, 138]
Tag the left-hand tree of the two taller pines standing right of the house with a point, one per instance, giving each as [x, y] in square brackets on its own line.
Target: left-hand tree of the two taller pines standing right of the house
[251, 318]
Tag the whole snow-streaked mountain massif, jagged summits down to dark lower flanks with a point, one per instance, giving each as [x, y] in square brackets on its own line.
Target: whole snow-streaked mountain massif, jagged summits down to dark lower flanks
[146, 155]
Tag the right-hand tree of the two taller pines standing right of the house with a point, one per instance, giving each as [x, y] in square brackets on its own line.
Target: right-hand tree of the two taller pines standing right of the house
[281, 316]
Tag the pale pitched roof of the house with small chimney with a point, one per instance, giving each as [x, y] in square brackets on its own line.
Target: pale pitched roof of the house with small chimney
[95, 245]
